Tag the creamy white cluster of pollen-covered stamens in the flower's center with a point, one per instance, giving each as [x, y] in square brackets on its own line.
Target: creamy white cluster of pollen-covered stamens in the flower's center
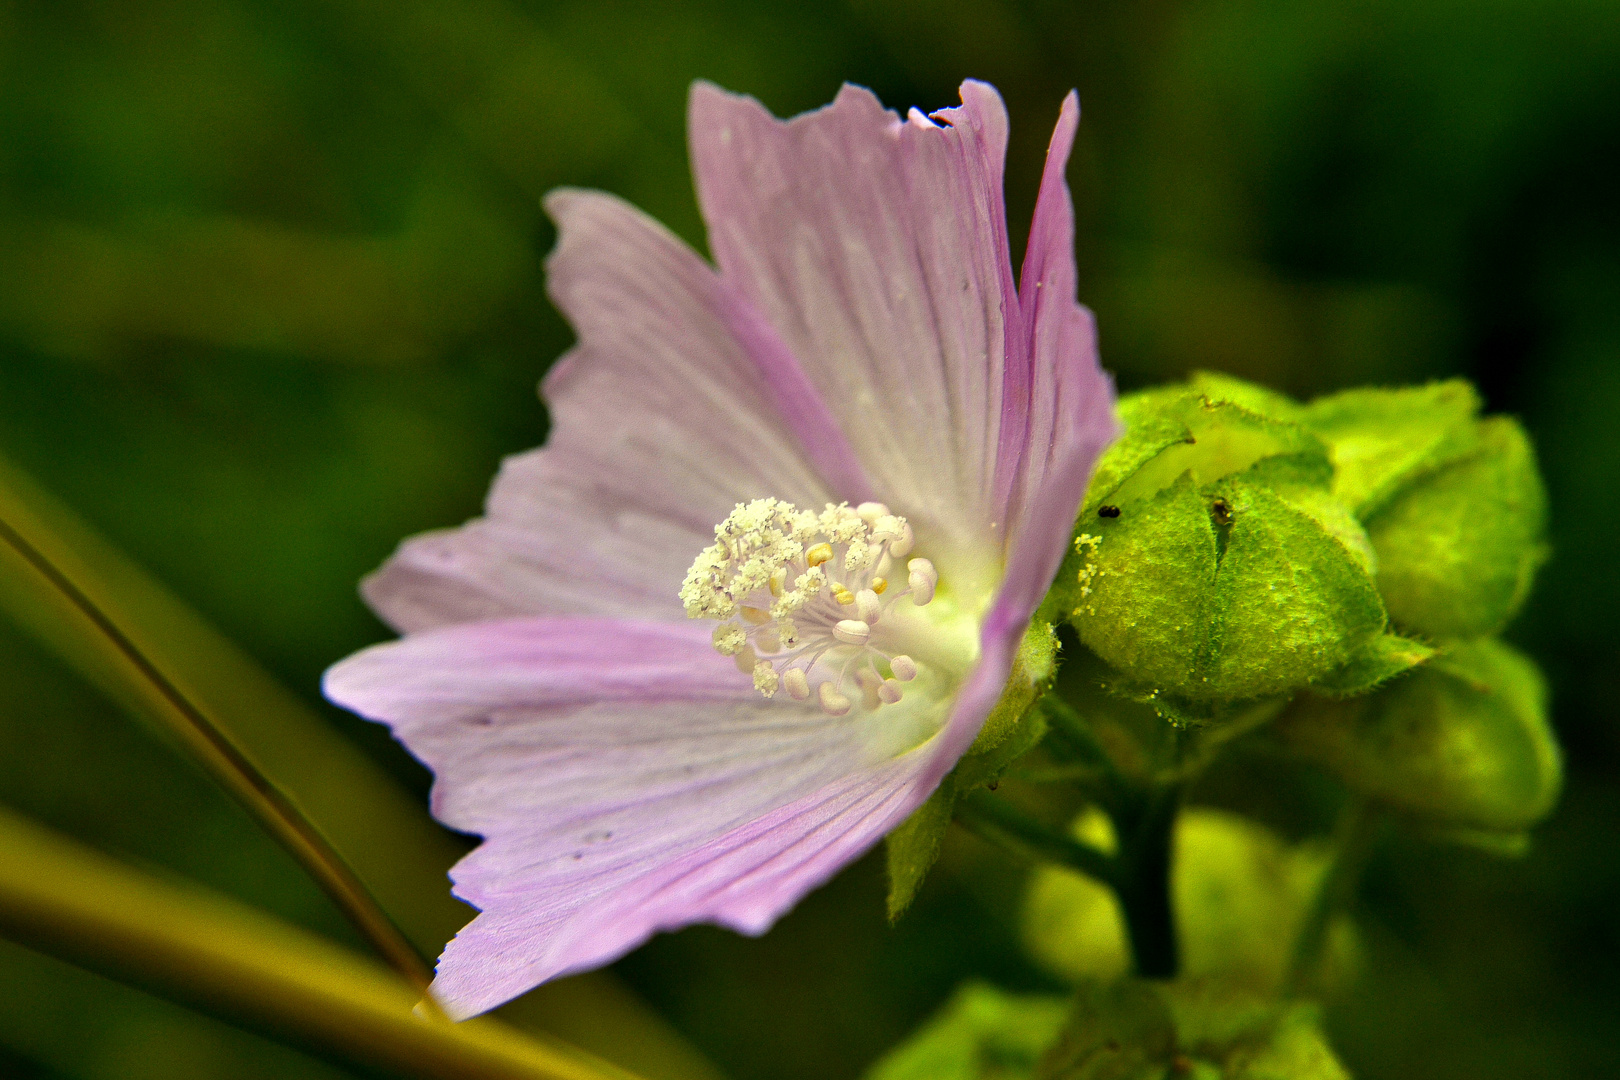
[806, 600]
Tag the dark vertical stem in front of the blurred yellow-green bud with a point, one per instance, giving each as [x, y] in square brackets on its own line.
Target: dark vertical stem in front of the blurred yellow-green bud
[1146, 830]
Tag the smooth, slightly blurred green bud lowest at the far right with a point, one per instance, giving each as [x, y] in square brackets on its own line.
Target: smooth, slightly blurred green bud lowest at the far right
[1464, 742]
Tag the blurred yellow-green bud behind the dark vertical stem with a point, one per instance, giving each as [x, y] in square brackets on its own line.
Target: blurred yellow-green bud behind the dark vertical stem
[1240, 896]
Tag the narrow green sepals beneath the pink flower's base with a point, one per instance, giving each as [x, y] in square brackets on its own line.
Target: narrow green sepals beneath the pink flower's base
[1013, 728]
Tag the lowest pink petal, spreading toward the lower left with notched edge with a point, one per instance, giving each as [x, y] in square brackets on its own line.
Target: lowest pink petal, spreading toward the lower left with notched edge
[628, 781]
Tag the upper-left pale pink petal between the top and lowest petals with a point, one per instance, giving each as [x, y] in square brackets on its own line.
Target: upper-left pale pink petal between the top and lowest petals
[663, 419]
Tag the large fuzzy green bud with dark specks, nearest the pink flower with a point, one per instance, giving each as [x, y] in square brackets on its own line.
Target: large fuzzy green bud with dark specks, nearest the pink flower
[1214, 564]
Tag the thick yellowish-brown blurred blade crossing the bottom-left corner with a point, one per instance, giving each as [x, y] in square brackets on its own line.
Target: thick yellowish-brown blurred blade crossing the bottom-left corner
[232, 961]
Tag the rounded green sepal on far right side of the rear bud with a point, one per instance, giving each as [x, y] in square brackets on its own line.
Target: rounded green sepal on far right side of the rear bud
[1460, 550]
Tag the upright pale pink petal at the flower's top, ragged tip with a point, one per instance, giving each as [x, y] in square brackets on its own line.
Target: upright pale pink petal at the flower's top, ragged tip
[877, 249]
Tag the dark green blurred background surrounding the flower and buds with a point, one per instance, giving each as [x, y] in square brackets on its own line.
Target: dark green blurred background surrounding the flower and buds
[271, 300]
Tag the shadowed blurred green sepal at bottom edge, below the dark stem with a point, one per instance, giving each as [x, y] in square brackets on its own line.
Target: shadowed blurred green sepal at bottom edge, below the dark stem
[1136, 1031]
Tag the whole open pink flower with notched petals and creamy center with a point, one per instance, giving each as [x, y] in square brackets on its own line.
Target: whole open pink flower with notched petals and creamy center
[654, 721]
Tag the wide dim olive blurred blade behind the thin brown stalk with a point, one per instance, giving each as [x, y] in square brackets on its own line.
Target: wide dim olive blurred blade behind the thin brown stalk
[380, 830]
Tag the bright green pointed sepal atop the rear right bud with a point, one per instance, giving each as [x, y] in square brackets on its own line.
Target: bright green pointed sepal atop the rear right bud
[1383, 440]
